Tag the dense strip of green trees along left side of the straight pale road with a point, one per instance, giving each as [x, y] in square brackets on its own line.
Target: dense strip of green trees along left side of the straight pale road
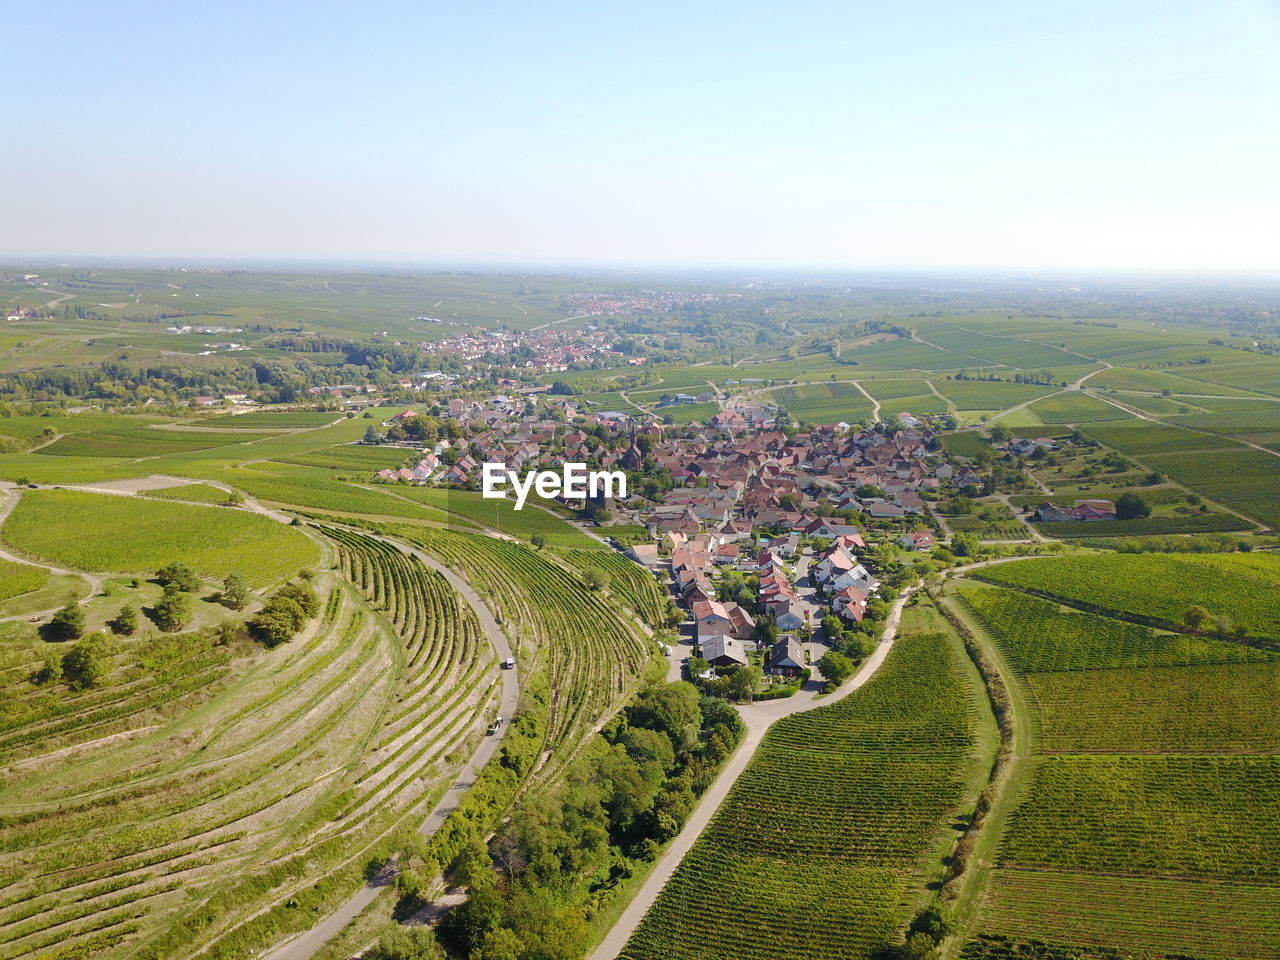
[532, 888]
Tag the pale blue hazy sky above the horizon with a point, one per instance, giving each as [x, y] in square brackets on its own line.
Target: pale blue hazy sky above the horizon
[1023, 134]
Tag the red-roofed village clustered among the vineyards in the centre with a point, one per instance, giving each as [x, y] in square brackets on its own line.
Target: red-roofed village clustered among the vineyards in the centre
[770, 540]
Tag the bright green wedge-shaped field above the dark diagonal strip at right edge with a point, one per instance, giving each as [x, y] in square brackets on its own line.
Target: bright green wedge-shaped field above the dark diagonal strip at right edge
[1241, 587]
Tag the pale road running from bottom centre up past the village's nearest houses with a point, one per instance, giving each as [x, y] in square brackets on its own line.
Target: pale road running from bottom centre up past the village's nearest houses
[758, 717]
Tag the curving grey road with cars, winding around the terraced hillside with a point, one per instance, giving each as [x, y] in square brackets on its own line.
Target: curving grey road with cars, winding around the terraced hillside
[309, 944]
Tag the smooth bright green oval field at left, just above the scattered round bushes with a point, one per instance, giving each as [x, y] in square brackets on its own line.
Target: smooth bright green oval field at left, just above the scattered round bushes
[138, 534]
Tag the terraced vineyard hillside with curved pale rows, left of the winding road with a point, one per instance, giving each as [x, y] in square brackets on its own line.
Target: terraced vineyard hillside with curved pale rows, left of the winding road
[211, 794]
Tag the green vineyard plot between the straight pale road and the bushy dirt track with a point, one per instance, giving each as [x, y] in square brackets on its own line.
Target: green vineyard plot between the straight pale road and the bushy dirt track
[825, 835]
